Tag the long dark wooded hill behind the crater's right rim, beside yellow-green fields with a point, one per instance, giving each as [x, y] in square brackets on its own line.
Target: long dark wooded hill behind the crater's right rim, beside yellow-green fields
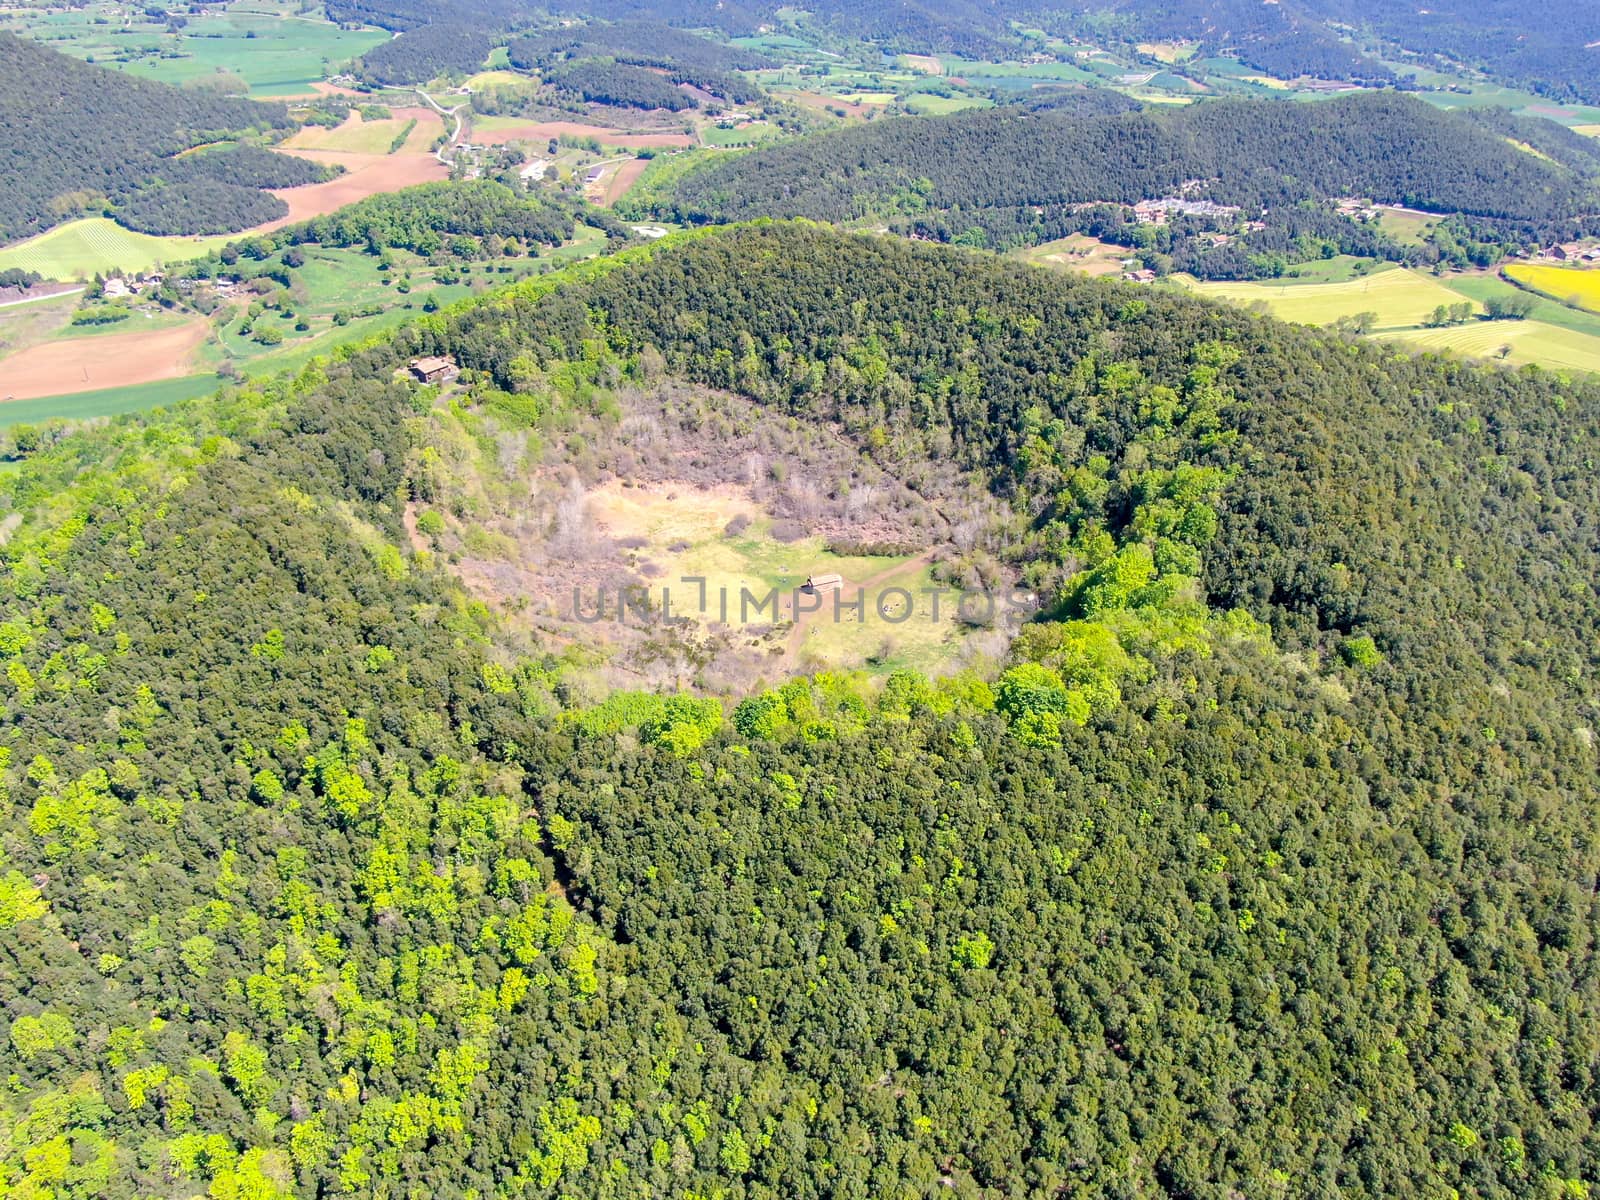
[1020, 175]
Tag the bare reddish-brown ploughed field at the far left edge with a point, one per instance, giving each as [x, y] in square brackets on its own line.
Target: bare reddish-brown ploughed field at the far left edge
[102, 361]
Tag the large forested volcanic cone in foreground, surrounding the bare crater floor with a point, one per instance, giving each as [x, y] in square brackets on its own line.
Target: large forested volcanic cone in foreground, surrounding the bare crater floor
[1265, 865]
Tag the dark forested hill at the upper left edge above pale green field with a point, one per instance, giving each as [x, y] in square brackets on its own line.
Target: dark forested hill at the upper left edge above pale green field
[87, 140]
